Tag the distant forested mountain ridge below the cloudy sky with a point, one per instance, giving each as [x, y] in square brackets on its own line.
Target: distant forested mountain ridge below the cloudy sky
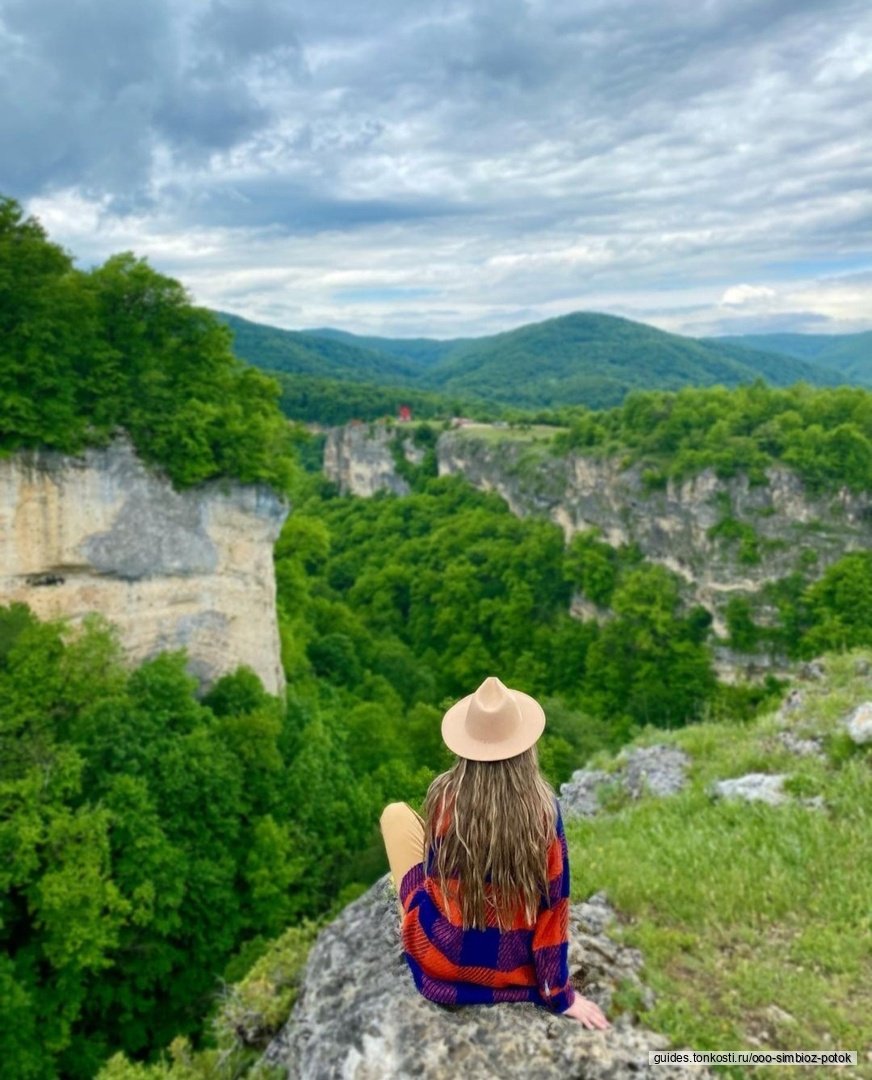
[581, 359]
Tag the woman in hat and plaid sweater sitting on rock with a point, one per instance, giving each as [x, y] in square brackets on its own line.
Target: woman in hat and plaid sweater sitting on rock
[486, 915]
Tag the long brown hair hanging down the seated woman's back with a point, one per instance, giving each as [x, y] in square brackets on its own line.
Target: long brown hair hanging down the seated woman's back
[497, 817]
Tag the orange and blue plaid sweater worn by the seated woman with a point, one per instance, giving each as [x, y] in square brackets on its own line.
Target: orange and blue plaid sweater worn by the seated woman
[524, 963]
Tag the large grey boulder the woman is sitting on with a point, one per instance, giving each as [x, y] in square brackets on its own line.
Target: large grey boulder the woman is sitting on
[359, 1016]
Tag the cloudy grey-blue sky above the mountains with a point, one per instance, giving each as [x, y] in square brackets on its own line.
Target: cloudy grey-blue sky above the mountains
[452, 169]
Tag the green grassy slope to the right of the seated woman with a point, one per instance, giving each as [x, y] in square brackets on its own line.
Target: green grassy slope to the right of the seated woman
[740, 907]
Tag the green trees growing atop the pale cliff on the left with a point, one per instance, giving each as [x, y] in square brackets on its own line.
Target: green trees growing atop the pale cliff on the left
[84, 354]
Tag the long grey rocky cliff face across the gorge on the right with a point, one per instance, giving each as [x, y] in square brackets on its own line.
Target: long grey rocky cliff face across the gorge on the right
[789, 528]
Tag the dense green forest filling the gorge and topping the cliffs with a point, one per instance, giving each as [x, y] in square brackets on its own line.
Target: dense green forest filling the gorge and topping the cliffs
[156, 841]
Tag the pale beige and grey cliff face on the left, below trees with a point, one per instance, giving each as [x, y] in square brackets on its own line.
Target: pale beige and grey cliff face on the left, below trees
[101, 532]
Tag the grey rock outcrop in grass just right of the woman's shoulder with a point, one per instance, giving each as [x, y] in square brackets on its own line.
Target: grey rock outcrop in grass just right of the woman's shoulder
[643, 771]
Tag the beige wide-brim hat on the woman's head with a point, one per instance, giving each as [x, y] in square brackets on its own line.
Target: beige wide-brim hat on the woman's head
[494, 723]
